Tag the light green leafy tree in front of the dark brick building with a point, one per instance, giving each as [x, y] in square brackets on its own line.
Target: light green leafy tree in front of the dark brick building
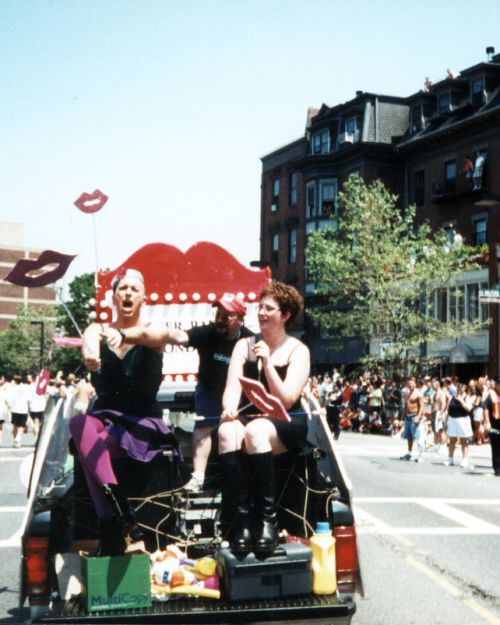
[375, 271]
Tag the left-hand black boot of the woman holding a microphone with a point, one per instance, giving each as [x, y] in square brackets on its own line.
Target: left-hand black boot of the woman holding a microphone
[235, 502]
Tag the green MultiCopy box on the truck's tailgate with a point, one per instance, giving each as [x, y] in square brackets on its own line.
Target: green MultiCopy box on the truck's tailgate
[119, 582]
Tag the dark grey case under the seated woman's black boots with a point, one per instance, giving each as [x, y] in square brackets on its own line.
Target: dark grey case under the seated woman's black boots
[286, 573]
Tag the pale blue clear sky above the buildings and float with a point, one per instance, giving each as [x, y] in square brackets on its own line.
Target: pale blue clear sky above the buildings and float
[167, 106]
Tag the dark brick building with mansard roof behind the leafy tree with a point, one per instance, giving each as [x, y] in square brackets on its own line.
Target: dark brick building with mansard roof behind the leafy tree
[417, 146]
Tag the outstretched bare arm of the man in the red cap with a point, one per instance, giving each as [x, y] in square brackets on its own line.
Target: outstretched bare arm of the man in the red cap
[154, 336]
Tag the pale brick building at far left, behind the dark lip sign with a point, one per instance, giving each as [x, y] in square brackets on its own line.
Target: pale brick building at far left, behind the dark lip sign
[11, 297]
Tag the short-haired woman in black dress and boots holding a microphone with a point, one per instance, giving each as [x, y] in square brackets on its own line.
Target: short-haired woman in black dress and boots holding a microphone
[282, 364]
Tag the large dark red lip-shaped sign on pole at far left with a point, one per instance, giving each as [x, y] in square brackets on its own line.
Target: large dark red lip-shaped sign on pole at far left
[42, 267]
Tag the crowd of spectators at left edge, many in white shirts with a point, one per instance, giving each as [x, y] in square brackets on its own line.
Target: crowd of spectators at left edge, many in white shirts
[23, 401]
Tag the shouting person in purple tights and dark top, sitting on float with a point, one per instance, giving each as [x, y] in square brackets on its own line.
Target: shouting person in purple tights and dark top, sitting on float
[125, 419]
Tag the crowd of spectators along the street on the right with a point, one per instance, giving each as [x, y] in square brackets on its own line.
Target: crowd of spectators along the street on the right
[434, 413]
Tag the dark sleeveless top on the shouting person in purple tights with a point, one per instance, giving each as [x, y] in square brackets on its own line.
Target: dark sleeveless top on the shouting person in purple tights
[129, 384]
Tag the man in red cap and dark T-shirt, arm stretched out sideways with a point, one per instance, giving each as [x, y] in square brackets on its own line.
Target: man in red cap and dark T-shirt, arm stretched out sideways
[214, 343]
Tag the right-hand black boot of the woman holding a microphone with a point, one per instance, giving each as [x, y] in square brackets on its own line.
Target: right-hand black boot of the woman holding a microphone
[265, 518]
